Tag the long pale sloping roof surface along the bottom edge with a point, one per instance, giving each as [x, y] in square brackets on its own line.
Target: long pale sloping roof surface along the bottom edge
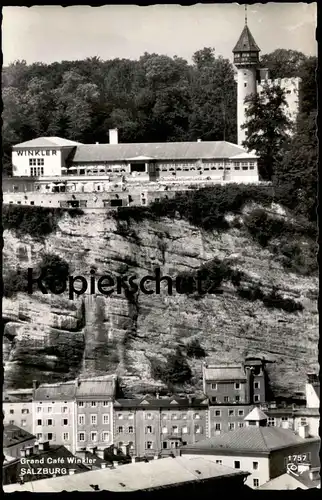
[134, 477]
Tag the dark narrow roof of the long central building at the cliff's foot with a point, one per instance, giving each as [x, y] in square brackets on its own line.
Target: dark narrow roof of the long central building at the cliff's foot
[166, 403]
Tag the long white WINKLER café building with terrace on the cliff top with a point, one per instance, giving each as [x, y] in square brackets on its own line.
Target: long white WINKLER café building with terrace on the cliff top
[61, 173]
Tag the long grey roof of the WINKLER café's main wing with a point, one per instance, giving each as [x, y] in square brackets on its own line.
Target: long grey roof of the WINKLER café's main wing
[159, 151]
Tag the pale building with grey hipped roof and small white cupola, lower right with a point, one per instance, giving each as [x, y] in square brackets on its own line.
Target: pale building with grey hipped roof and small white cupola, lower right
[263, 451]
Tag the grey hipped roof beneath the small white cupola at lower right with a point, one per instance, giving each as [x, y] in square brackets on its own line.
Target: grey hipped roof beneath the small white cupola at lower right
[249, 439]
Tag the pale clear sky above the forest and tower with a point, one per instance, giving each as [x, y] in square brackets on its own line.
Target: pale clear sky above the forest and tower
[54, 33]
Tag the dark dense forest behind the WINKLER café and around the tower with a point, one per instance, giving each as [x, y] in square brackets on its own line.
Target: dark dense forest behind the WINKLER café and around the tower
[160, 98]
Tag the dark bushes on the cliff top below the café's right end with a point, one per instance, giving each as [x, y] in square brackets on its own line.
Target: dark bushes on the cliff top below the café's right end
[290, 237]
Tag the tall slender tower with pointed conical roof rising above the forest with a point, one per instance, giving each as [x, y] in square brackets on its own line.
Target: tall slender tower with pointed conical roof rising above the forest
[246, 60]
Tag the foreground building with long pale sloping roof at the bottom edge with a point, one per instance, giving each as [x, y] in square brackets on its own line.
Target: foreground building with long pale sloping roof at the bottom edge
[179, 475]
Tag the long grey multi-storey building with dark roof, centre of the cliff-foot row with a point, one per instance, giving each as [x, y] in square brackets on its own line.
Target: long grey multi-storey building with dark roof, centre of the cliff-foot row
[159, 426]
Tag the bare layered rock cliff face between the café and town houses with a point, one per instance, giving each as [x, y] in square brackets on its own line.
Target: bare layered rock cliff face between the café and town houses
[50, 337]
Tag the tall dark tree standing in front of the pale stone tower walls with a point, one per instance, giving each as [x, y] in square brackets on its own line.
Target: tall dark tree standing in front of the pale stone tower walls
[267, 127]
